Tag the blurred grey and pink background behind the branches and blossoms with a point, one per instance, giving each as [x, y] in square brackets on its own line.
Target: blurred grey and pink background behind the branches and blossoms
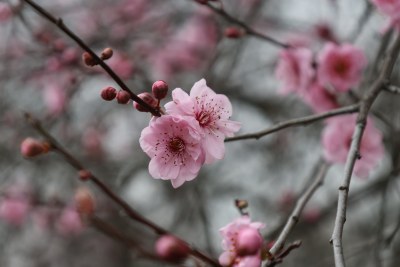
[182, 41]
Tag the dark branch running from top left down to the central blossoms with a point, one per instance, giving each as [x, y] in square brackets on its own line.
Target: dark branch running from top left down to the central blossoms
[60, 24]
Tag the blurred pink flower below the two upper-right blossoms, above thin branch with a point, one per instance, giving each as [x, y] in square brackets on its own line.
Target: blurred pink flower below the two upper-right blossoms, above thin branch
[319, 98]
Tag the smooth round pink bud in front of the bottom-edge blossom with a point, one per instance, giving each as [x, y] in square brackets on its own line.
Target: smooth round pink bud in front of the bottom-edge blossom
[249, 241]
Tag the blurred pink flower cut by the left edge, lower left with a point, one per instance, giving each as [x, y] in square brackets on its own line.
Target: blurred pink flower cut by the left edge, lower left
[14, 210]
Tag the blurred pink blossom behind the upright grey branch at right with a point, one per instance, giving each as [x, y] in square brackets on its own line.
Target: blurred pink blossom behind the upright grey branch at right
[336, 140]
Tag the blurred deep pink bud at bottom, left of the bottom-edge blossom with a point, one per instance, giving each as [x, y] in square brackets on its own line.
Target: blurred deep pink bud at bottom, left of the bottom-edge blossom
[170, 248]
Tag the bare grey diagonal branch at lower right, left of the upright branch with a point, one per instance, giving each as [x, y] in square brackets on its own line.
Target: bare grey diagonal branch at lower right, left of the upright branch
[294, 216]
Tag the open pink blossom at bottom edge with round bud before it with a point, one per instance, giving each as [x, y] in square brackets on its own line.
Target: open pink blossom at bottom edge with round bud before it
[233, 255]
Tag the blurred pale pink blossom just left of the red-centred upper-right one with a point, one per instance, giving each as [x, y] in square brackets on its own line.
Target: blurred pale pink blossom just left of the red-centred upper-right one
[295, 70]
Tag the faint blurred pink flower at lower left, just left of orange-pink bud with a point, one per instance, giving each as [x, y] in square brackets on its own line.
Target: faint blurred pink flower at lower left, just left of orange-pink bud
[69, 222]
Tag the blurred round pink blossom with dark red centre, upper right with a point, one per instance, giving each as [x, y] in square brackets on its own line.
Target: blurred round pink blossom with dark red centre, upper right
[340, 66]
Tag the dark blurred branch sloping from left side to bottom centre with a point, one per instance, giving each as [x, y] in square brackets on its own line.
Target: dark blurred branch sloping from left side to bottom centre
[133, 214]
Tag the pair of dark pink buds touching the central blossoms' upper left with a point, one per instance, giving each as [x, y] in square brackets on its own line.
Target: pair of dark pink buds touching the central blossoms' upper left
[159, 91]
